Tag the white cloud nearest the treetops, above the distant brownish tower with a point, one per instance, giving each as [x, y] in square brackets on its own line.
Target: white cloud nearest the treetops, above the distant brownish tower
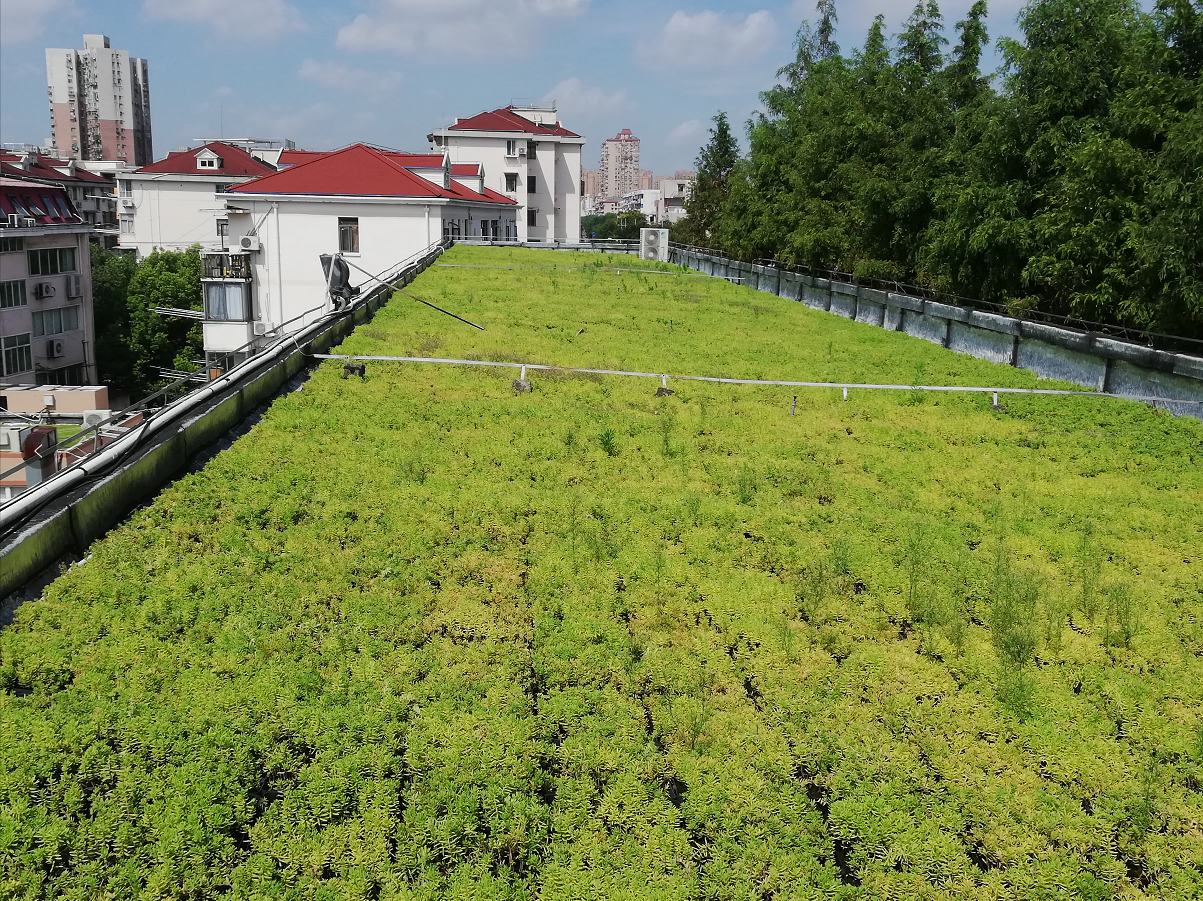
[712, 40]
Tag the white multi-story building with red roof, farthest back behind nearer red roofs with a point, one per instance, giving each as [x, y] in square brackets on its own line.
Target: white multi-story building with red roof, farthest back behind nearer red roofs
[530, 157]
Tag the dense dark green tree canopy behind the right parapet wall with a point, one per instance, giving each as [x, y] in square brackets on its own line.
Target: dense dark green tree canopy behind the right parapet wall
[1069, 185]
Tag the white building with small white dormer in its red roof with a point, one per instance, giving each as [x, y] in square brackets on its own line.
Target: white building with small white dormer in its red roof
[169, 205]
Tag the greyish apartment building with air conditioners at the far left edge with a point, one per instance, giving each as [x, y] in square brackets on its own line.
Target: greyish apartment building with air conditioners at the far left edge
[46, 318]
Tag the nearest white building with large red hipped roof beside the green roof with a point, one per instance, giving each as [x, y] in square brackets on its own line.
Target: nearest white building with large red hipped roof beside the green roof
[375, 208]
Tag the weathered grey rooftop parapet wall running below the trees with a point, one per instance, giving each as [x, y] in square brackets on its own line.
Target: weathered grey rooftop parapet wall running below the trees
[1087, 359]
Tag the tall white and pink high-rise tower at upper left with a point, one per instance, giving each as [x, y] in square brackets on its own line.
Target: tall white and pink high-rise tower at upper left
[100, 103]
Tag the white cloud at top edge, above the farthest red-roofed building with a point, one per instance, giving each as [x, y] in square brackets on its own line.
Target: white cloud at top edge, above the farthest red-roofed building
[483, 28]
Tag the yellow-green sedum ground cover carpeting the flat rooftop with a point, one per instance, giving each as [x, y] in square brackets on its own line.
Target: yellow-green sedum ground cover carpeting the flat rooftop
[420, 637]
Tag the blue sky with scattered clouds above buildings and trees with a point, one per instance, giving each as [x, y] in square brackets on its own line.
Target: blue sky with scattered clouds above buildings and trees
[388, 72]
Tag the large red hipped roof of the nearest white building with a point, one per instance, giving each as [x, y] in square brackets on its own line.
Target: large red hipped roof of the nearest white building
[359, 171]
